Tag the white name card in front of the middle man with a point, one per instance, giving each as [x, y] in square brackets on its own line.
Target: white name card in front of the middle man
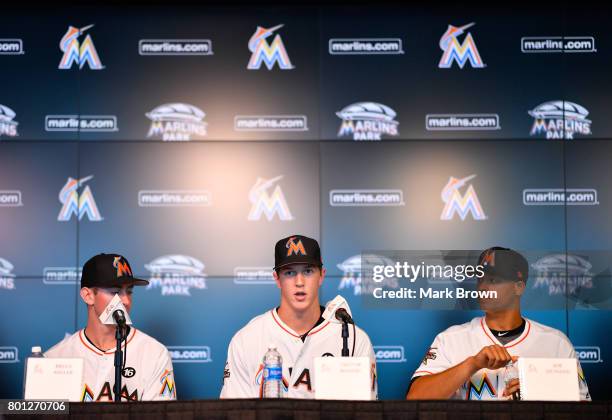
[342, 378]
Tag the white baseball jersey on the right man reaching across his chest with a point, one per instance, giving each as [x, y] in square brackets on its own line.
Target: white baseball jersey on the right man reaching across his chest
[459, 342]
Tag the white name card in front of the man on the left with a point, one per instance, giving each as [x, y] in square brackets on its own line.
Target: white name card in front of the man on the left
[54, 379]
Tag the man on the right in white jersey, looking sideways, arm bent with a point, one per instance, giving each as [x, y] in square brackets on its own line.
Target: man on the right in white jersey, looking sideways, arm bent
[468, 361]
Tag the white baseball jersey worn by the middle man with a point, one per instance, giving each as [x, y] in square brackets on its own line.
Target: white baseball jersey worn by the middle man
[244, 367]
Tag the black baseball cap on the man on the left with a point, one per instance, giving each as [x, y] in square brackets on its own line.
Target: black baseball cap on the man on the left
[109, 270]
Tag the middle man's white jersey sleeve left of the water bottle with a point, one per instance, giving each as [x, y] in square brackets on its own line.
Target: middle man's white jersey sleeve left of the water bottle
[236, 382]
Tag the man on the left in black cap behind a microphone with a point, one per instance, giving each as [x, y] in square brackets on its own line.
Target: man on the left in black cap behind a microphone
[147, 372]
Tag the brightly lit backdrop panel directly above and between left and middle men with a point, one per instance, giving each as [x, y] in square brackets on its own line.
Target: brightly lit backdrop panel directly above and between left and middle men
[219, 235]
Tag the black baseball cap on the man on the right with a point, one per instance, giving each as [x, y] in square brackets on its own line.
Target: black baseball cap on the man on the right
[504, 263]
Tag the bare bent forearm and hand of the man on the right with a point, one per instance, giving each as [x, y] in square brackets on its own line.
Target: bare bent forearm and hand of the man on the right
[444, 384]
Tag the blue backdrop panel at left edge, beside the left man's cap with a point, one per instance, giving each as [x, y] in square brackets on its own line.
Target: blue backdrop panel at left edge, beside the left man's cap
[33, 237]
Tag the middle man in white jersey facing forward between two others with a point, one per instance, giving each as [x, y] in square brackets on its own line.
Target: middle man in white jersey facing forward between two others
[297, 328]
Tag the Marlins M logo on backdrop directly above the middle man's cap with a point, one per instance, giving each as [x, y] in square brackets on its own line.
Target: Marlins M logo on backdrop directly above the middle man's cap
[263, 203]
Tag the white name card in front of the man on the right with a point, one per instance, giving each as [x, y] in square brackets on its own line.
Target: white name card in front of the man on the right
[544, 379]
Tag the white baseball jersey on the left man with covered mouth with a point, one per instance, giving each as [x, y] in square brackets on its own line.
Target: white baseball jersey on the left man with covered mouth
[150, 378]
